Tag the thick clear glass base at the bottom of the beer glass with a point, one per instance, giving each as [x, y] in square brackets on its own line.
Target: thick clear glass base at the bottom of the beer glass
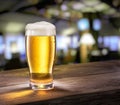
[38, 86]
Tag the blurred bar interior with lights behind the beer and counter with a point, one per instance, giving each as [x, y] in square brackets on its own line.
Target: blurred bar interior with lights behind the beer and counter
[87, 30]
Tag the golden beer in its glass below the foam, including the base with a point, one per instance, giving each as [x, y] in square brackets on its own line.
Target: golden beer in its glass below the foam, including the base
[40, 50]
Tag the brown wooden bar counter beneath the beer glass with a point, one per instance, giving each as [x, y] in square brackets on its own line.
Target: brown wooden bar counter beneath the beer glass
[96, 83]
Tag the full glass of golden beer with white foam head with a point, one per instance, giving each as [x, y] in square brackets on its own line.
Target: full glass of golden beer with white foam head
[40, 49]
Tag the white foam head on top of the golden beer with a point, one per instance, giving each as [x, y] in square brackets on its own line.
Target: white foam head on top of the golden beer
[40, 28]
